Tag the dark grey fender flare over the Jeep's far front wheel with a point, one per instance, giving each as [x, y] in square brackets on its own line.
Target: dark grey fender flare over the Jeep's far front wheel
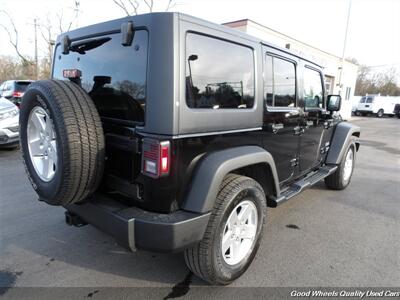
[344, 134]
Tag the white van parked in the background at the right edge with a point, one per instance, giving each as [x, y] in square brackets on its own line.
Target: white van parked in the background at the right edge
[377, 105]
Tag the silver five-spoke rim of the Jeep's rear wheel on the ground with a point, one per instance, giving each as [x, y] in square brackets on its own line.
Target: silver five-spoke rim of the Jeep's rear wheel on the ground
[239, 232]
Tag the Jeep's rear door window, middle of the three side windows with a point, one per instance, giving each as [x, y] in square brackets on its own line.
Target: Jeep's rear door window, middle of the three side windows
[280, 82]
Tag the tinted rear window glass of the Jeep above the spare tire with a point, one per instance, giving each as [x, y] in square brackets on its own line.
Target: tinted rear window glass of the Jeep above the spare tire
[113, 75]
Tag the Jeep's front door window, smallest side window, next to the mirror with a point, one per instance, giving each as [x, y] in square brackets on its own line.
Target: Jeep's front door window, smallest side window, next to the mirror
[313, 91]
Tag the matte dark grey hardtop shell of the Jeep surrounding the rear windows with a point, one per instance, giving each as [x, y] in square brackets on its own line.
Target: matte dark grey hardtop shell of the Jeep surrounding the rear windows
[167, 112]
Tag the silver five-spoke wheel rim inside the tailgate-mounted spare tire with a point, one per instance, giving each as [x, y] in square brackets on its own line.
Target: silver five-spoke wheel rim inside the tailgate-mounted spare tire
[42, 143]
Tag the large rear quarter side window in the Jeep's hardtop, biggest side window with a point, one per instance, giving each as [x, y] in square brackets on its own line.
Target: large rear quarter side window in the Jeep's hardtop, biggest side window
[219, 74]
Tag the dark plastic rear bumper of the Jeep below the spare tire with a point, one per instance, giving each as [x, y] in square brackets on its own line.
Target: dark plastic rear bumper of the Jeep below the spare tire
[135, 228]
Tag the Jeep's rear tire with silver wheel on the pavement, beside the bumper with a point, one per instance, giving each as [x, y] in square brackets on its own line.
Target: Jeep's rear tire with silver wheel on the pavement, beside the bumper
[233, 234]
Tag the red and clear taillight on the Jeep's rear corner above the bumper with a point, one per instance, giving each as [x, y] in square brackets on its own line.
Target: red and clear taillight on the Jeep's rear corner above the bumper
[156, 158]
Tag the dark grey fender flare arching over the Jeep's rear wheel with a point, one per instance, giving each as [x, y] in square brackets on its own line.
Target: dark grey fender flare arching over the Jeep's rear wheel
[212, 169]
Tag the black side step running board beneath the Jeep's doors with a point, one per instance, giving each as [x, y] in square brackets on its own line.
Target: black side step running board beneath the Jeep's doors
[304, 183]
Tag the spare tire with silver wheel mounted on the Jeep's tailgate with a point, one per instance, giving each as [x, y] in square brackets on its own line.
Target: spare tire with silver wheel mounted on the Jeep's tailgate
[62, 141]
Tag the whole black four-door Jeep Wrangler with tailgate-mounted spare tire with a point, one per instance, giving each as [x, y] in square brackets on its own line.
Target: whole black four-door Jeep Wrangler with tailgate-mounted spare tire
[171, 133]
